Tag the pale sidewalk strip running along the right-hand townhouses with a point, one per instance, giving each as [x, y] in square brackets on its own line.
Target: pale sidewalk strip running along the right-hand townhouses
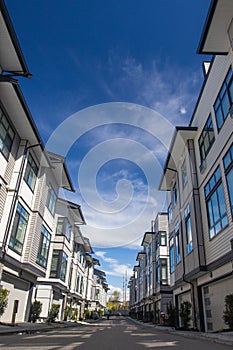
[220, 337]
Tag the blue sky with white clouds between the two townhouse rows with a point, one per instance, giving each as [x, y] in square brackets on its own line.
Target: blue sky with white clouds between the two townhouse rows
[110, 80]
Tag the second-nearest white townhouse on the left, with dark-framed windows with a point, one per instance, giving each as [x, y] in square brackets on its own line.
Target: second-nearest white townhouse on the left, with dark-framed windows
[63, 283]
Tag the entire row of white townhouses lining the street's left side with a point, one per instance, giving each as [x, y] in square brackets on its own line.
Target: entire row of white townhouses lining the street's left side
[43, 254]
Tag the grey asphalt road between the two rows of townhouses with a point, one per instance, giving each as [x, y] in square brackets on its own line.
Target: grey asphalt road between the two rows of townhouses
[118, 333]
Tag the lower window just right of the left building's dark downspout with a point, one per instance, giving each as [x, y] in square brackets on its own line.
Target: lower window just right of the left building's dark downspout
[19, 229]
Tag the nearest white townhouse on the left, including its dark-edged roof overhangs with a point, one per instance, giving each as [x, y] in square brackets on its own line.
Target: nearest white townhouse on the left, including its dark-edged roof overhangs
[23, 164]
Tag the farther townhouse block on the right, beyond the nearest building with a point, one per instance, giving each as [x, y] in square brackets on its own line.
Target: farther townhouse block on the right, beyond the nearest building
[150, 284]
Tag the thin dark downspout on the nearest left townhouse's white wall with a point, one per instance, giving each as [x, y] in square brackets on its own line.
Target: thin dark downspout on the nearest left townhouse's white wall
[14, 201]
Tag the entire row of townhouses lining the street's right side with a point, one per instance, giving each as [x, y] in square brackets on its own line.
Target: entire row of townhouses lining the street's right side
[188, 255]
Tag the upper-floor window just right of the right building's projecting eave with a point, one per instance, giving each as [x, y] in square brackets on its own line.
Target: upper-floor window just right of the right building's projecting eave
[206, 139]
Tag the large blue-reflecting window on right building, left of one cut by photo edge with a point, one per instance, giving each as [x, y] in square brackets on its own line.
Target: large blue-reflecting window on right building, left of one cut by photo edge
[216, 206]
